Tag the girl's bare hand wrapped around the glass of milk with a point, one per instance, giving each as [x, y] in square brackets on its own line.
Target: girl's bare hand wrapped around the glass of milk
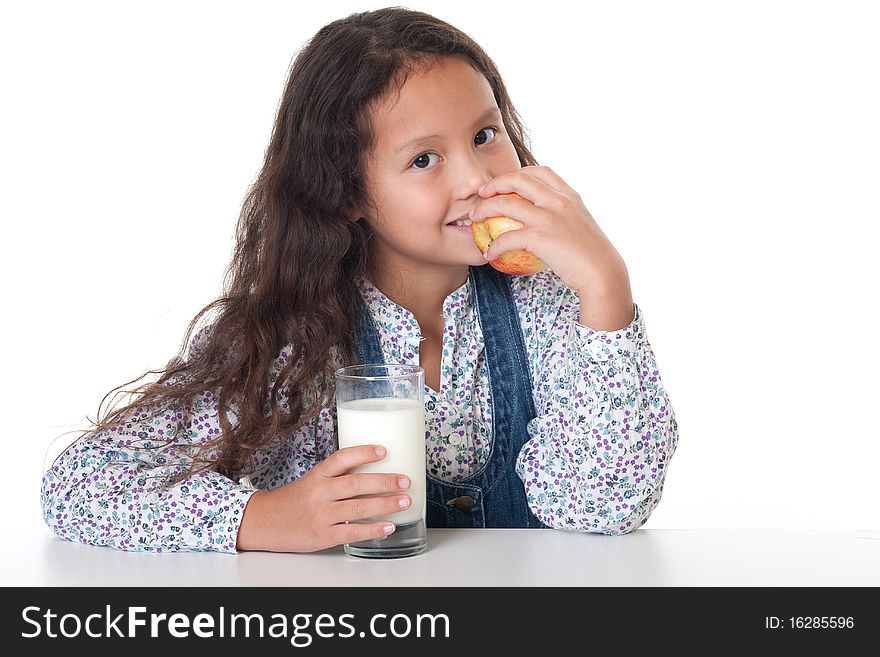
[310, 513]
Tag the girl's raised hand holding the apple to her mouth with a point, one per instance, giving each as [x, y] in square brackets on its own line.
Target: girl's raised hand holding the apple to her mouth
[558, 228]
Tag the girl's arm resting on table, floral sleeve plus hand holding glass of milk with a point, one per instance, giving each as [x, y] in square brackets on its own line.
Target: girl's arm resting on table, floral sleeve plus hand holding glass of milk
[112, 490]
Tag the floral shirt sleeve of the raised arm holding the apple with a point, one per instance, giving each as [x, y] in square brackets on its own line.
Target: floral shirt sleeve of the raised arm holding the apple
[599, 448]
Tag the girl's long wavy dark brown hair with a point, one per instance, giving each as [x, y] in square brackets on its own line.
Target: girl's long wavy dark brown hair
[291, 282]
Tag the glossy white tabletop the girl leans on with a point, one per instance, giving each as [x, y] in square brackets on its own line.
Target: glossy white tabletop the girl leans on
[483, 557]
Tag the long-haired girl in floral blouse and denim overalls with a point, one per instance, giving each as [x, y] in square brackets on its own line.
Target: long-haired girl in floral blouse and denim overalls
[544, 406]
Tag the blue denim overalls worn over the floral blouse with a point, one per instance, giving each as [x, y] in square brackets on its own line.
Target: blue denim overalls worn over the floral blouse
[494, 496]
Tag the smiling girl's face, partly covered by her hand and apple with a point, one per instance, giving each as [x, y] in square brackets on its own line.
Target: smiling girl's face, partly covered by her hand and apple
[419, 187]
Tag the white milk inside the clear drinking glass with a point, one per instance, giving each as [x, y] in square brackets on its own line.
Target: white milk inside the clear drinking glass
[399, 425]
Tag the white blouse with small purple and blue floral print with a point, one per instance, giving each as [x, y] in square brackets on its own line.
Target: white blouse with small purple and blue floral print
[596, 460]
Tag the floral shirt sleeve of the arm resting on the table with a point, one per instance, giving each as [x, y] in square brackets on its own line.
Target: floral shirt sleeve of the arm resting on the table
[108, 489]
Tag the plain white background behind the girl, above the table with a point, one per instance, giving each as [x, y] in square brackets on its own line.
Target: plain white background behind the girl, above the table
[728, 150]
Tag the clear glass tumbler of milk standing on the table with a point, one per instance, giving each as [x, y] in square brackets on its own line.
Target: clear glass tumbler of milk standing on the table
[385, 405]
